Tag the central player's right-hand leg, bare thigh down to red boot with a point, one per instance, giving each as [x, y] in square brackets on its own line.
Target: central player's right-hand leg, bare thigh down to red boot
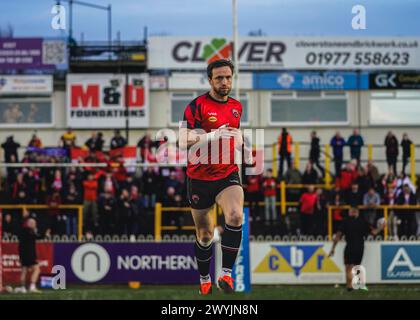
[231, 201]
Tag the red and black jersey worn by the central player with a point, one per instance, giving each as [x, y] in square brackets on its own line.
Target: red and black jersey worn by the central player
[208, 114]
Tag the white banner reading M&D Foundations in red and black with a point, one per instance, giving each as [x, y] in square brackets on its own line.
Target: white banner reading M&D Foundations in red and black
[99, 100]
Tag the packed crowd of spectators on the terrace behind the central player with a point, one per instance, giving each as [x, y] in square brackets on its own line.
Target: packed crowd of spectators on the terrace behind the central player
[119, 201]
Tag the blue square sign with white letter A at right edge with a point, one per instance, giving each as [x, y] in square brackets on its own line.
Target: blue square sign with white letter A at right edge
[400, 262]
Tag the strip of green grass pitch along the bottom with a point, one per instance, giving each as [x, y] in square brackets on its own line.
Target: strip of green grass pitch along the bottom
[149, 292]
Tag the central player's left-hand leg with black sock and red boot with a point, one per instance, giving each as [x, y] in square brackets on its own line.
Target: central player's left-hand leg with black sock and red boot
[203, 246]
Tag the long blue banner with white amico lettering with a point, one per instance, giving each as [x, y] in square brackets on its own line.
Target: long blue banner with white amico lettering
[294, 80]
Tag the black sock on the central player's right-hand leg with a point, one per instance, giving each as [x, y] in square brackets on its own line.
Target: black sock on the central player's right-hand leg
[231, 241]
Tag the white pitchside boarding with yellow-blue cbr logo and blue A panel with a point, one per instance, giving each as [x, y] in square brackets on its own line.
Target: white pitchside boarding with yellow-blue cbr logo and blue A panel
[308, 263]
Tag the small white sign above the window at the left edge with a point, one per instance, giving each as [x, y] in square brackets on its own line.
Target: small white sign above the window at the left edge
[26, 85]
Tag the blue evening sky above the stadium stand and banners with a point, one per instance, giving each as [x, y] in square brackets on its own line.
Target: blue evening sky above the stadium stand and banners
[32, 18]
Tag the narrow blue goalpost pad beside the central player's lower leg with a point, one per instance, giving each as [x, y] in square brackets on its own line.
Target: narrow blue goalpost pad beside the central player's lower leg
[242, 269]
